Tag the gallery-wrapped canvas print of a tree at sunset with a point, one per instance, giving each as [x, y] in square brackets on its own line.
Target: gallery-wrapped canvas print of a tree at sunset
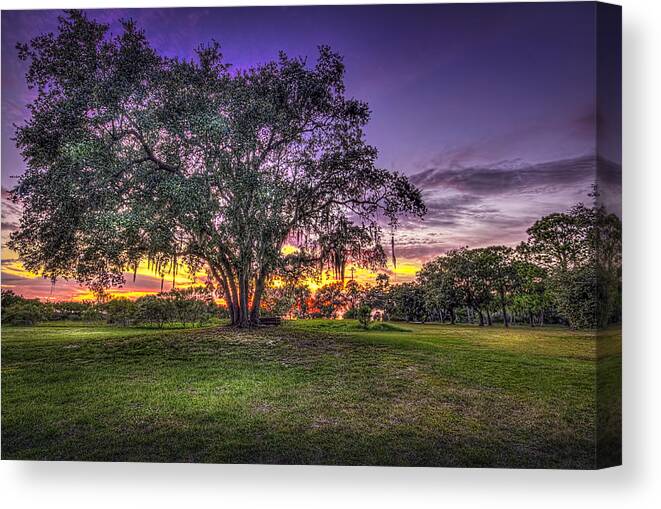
[383, 235]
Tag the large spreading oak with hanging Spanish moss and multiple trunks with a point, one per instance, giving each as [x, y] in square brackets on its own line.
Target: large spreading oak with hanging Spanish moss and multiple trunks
[136, 156]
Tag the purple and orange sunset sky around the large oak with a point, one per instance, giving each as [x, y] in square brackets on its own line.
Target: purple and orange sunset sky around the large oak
[489, 109]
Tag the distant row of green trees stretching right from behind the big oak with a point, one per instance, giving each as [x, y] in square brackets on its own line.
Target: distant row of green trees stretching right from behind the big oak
[568, 271]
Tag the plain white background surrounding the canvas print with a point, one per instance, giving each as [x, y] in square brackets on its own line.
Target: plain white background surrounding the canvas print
[636, 484]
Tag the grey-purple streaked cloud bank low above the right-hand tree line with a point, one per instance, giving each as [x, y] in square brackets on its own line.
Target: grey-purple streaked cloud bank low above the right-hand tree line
[496, 203]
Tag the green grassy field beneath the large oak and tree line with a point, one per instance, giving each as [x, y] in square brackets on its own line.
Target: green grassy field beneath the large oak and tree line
[311, 392]
